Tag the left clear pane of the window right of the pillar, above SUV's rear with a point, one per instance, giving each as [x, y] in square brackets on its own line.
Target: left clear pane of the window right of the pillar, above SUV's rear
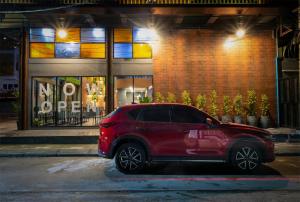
[123, 89]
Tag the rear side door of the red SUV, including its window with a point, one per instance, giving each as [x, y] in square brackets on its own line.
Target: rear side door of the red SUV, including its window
[159, 131]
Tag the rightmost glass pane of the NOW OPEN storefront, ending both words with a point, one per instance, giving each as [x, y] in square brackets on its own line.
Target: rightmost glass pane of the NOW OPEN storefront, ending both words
[93, 100]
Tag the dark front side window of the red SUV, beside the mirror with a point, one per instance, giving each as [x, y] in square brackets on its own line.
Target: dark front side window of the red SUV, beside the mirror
[181, 114]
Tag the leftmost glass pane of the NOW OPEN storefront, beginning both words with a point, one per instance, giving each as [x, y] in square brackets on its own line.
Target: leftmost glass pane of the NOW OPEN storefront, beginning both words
[43, 101]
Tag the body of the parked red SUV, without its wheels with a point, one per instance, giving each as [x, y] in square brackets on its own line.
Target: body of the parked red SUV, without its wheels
[175, 139]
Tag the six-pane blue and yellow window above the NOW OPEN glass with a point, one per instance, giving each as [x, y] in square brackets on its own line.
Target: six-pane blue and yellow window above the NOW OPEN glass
[67, 43]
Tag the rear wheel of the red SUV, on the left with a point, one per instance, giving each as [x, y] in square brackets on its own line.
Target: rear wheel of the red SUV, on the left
[130, 158]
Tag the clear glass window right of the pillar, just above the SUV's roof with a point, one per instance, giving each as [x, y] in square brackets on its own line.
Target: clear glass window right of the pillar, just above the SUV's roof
[132, 89]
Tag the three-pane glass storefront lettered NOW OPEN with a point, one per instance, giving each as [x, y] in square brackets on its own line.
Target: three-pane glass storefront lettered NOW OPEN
[67, 101]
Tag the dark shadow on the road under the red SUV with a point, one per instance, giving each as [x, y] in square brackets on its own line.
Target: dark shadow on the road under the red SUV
[204, 169]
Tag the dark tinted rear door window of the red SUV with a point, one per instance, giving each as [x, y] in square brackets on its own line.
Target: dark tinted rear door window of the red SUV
[156, 114]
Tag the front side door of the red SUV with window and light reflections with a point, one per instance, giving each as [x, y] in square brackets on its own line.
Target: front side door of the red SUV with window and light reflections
[197, 137]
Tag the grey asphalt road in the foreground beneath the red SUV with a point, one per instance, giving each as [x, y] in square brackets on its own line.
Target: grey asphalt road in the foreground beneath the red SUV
[94, 179]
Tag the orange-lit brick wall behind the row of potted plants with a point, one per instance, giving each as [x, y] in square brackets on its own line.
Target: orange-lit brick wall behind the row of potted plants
[197, 61]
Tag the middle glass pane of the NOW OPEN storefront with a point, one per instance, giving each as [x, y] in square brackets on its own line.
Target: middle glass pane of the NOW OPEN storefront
[68, 101]
